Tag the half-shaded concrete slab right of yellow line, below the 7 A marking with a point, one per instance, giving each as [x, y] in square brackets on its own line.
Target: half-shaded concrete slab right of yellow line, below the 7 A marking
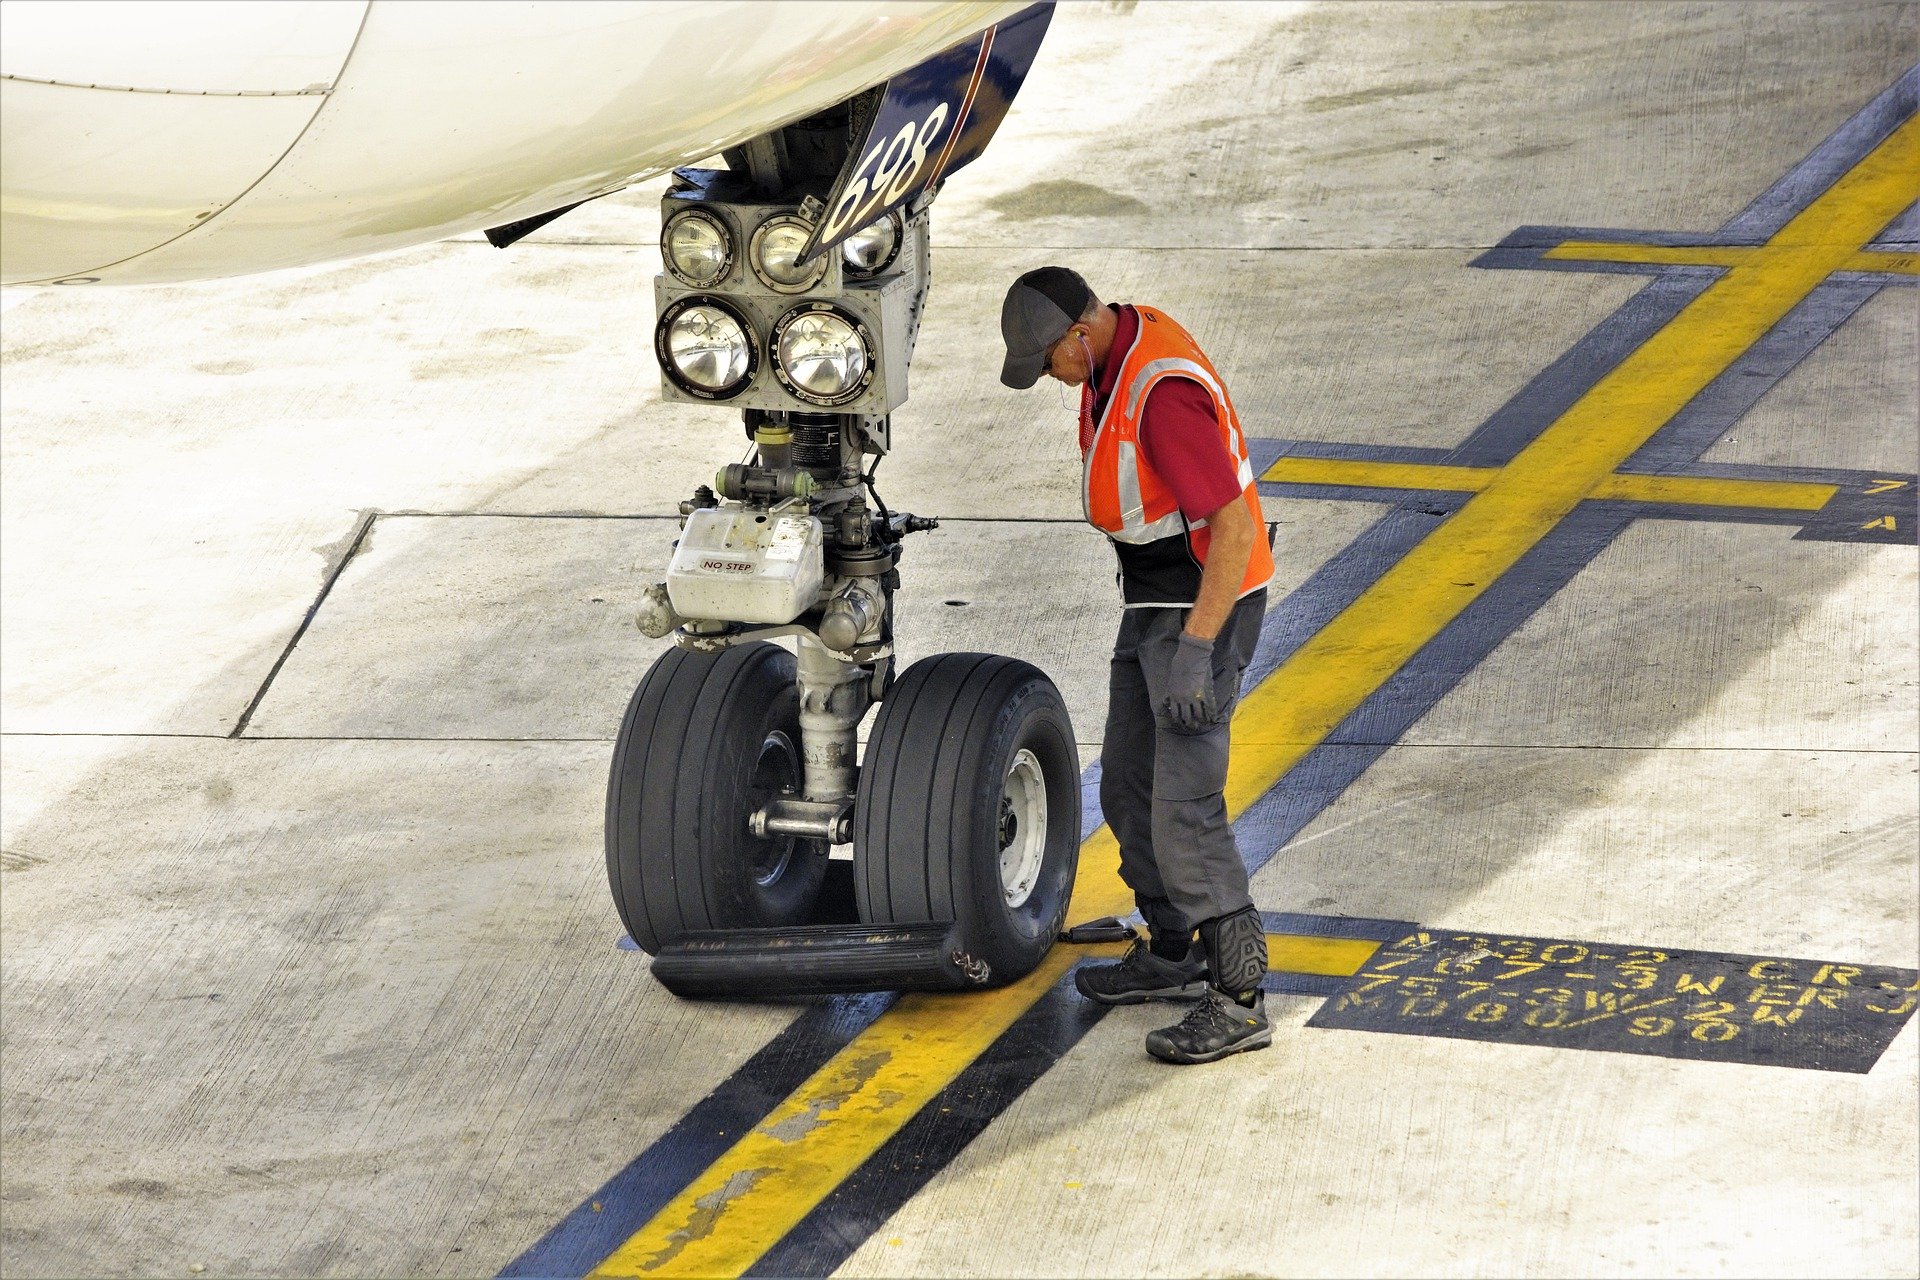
[1706, 636]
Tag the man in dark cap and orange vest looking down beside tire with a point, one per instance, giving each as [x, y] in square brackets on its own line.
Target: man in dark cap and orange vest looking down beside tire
[1166, 477]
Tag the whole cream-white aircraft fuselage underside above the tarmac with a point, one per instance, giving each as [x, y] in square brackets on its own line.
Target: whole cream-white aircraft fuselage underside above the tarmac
[158, 141]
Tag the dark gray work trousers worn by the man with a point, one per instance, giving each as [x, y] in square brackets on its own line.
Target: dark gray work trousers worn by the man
[1161, 790]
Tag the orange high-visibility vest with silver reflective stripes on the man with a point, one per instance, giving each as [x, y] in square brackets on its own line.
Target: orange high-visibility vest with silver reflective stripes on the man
[1120, 492]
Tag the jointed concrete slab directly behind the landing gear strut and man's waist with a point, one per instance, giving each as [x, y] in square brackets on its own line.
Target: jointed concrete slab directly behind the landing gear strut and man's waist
[516, 628]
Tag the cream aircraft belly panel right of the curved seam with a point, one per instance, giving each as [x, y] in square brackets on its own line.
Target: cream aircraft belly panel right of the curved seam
[456, 118]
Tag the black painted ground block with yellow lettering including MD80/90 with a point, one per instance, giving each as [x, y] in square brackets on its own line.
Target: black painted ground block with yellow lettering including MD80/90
[1629, 1001]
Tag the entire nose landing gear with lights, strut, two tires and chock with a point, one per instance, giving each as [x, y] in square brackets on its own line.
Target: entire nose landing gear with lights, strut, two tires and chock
[796, 296]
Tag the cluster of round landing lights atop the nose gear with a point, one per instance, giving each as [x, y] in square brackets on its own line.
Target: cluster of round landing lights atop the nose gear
[823, 352]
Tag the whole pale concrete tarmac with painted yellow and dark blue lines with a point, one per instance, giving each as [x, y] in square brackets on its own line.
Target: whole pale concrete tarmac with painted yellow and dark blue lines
[318, 596]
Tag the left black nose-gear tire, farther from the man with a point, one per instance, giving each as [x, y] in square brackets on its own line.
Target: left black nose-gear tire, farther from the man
[706, 742]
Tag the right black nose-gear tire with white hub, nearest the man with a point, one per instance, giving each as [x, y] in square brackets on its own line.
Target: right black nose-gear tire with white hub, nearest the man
[969, 811]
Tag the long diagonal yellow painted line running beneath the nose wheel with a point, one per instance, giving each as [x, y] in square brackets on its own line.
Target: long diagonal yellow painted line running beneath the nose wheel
[773, 1177]
